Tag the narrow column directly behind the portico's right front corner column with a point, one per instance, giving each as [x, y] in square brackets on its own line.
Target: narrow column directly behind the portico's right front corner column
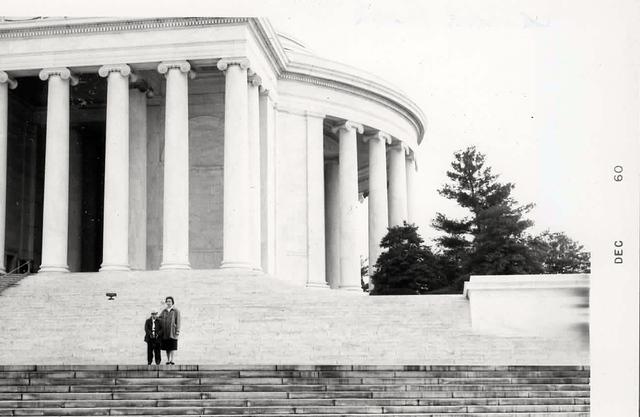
[255, 241]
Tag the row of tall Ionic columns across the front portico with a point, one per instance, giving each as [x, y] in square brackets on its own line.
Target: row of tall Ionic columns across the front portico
[242, 196]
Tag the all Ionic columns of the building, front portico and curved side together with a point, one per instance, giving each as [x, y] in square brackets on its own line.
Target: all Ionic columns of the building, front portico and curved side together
[242, 179]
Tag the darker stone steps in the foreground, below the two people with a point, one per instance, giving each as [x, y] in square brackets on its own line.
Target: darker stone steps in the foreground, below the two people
[309, 390]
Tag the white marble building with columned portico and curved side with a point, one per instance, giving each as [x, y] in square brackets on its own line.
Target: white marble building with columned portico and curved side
[202, 143]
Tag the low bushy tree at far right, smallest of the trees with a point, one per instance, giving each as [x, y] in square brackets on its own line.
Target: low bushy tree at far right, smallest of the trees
[559, 254]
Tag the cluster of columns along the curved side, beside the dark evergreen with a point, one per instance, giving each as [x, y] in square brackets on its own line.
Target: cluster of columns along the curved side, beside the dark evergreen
[388, 205]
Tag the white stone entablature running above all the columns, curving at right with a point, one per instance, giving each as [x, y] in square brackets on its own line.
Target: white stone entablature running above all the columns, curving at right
[143, 43]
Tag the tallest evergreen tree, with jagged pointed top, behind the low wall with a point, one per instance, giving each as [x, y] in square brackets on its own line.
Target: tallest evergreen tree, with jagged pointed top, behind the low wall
[492, 239]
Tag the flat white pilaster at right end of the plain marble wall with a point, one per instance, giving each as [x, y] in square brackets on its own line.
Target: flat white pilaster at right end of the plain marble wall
[316, 276]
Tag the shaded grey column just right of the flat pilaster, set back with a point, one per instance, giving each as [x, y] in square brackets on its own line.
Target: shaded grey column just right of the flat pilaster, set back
[332, 222]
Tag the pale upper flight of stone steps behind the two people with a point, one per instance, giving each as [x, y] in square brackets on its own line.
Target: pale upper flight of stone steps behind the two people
[234, 317]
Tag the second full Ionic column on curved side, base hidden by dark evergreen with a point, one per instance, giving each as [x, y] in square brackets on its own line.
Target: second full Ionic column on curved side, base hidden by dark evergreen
[378, 202]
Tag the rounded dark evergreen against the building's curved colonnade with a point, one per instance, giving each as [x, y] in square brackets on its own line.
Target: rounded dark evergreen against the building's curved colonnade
[407, 266]
